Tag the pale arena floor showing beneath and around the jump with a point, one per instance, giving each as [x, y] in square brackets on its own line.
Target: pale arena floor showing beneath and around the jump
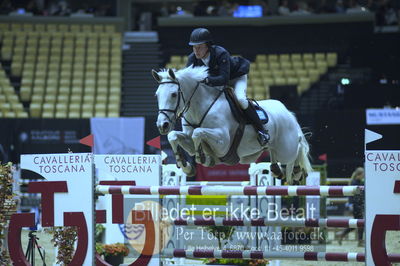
[392, 243]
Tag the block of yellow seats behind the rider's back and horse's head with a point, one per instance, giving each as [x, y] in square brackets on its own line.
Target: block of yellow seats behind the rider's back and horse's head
[297, 69]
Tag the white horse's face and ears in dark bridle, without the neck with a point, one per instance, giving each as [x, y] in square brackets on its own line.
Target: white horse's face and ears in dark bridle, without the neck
[169, 99]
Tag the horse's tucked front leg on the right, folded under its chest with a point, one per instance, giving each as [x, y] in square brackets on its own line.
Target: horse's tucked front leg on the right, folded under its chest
[208, 140]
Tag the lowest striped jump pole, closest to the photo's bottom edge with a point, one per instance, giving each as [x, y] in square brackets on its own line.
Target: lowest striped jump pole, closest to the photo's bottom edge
[247, 254]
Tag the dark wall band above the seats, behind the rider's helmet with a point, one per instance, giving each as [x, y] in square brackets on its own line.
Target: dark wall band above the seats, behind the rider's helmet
[249, 40]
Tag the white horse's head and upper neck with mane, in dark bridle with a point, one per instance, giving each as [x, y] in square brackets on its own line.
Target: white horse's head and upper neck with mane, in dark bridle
[173, 93]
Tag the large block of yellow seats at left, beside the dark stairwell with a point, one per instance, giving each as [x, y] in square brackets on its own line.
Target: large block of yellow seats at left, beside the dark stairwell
[65, 70]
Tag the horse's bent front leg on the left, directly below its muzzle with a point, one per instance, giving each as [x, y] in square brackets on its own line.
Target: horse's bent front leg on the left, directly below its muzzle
[179, 140]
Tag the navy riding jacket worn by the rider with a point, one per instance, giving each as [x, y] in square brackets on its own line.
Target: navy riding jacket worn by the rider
[222, 66]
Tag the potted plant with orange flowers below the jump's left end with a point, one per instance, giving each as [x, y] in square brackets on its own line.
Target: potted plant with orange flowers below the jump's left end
[113, 253]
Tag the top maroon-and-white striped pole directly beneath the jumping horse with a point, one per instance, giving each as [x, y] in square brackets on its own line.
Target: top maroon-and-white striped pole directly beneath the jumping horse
[232, 190]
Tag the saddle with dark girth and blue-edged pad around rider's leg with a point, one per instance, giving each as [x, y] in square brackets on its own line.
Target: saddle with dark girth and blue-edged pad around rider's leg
[231, 157]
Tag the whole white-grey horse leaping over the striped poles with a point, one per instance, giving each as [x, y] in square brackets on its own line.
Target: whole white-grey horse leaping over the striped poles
[209, 126]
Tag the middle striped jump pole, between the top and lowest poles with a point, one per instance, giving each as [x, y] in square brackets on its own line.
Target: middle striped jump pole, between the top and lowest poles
[338, 223]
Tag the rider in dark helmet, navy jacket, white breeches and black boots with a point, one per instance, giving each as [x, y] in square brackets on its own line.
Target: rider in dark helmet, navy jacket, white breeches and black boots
[225, 70]
